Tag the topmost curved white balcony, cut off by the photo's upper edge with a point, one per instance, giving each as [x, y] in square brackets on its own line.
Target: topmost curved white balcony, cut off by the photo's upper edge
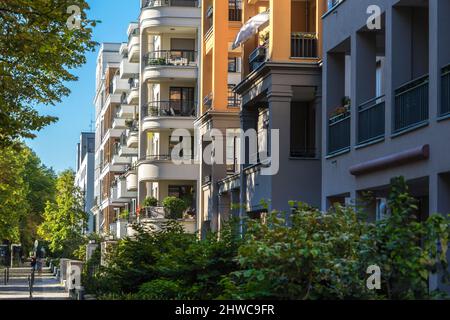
[163, 14]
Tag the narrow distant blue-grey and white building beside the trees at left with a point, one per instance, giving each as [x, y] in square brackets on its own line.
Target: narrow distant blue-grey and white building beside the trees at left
[84, 177]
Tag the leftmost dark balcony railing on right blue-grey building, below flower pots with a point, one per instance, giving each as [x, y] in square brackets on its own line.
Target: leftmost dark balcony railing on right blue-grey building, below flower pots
[339, 133]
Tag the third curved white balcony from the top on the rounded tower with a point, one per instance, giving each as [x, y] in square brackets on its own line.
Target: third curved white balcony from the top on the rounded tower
[175, 114]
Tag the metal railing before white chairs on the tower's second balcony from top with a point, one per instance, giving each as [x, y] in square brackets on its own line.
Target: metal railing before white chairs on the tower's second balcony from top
[171, 58]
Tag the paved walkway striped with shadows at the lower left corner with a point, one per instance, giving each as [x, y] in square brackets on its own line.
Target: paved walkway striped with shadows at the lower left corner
[46, 287]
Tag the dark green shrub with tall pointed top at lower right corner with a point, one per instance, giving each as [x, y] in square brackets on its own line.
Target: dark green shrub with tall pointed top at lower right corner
[405, 248]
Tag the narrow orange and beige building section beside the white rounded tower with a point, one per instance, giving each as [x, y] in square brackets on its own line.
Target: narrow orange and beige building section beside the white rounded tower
[221, 20]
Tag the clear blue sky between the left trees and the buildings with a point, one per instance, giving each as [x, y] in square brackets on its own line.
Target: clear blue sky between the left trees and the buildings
[56, 144]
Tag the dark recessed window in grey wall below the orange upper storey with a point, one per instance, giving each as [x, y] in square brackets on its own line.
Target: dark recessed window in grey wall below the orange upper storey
[303, 127]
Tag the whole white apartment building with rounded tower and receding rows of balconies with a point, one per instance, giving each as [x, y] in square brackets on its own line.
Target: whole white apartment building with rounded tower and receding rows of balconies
[146, 89]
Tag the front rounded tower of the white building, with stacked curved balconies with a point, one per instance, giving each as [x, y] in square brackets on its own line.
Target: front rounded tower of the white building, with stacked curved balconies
[167, 95]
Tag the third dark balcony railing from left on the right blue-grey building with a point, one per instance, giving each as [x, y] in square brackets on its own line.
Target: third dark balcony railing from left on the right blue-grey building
[411, 104]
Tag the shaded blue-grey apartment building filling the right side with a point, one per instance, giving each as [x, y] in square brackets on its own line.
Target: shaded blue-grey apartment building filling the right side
[386, 103]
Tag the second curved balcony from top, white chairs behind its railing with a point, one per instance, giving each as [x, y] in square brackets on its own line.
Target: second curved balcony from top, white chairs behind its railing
[169, 64]
